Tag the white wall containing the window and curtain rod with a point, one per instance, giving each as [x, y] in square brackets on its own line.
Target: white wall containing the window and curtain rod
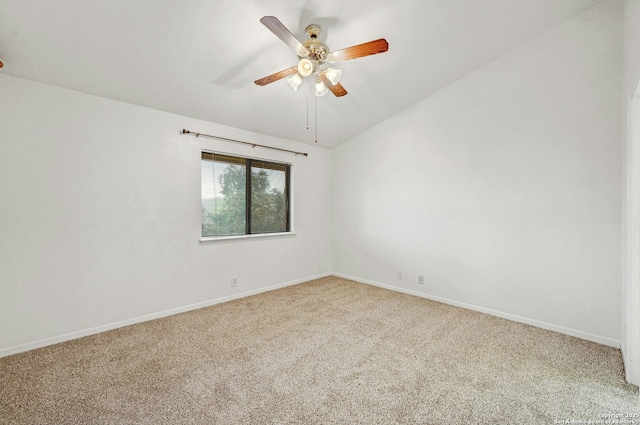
[100, 216]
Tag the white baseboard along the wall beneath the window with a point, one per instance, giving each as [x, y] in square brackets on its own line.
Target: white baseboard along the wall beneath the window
[110, 326]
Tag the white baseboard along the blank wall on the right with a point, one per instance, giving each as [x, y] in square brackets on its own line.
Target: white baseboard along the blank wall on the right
[544, 325]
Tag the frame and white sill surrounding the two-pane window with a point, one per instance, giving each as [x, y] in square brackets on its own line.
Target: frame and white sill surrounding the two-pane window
[288, 191]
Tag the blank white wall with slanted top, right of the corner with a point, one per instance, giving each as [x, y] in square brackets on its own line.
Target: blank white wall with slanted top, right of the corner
[503, 190]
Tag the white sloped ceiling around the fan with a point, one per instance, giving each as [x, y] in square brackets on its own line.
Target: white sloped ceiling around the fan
[199, 58]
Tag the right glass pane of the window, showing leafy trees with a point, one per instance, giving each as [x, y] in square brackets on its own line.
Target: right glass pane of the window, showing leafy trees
[268, 197]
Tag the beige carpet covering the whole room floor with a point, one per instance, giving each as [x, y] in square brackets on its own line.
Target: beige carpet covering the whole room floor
[329, 351]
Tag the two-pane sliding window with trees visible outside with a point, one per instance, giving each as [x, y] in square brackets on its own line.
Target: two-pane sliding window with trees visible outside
[233, 204]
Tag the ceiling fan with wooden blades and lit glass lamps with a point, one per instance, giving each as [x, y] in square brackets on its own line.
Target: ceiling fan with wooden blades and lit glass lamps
[313, 57]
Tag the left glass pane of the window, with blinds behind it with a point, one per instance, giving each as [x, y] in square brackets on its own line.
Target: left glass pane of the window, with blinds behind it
[223, 195]
